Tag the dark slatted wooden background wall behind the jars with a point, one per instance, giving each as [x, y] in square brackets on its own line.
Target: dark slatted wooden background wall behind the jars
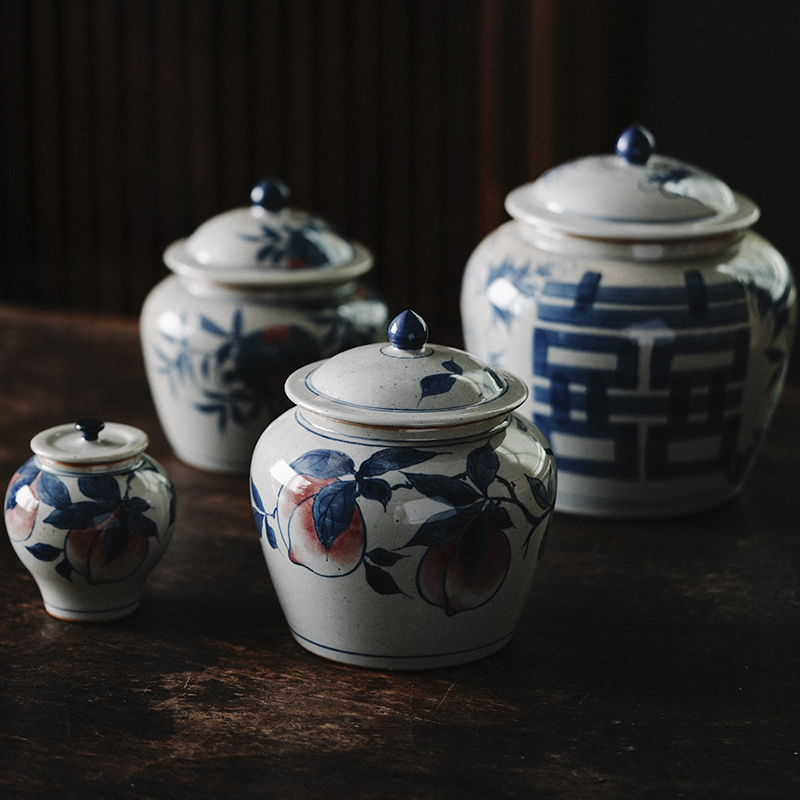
[126, 123]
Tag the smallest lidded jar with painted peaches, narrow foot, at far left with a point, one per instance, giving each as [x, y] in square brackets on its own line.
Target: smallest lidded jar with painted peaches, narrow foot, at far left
[89, 516]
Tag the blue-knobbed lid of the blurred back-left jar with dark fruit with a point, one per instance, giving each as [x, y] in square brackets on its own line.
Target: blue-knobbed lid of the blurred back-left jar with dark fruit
[267, 244]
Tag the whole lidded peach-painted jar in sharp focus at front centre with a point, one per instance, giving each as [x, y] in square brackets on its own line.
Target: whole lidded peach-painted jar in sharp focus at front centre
[402, 507]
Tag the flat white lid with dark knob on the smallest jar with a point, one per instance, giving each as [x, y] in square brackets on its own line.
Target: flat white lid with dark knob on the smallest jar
[90, 442]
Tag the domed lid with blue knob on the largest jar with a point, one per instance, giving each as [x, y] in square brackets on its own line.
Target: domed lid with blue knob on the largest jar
[633, 194]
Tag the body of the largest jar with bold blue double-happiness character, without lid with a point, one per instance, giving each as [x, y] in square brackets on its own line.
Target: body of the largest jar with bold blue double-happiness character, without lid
[654, 376]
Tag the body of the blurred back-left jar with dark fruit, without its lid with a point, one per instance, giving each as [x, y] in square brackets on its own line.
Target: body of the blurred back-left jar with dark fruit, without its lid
[217, 357]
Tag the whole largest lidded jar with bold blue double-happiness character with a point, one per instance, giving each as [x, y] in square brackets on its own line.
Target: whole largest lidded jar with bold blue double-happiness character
[651, 325]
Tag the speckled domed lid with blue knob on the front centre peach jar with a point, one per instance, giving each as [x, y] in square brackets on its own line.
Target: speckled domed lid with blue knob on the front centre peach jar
[405, 383]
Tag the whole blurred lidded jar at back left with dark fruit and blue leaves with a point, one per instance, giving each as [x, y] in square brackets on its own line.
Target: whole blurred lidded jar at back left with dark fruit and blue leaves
[256, 293]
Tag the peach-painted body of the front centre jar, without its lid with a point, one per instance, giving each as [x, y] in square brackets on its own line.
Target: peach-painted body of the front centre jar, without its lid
[438, 539]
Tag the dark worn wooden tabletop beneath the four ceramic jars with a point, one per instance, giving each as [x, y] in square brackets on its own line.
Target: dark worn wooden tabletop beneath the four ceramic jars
[657, 659]
